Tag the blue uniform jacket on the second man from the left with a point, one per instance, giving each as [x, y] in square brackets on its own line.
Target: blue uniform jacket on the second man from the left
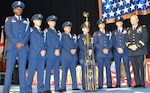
[36, 42]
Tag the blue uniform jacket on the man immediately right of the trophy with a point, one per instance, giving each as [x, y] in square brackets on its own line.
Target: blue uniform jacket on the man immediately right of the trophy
[102, 41]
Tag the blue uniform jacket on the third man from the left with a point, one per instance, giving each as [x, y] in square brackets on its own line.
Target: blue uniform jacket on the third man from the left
[53, 42]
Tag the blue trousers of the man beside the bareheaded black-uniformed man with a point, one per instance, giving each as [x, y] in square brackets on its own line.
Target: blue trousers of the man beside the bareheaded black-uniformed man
[126, 65]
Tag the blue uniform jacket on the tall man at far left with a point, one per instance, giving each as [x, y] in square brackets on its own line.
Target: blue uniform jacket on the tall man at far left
[16, 31]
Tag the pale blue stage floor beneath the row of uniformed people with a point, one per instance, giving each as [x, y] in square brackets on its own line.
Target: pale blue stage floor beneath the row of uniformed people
[123, 89]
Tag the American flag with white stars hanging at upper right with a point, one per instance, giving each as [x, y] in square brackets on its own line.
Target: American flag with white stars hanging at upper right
[110, 9]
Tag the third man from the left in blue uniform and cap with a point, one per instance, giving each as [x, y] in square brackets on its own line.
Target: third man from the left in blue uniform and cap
[53, 53]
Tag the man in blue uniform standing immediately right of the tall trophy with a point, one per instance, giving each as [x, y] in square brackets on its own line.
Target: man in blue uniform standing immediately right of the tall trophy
[103, 51]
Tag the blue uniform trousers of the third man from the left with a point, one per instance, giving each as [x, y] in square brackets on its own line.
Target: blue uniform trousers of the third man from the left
[52, 63]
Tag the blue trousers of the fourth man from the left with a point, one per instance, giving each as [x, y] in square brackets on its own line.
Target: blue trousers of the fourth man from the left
[66, 64]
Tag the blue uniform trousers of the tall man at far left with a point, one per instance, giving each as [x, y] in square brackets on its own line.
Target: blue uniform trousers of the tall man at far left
[11, 60]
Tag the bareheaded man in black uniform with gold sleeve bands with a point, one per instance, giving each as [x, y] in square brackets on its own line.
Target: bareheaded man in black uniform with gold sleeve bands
[137, 43]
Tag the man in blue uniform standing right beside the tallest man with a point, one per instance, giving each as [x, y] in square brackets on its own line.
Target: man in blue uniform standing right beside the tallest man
[37, 55]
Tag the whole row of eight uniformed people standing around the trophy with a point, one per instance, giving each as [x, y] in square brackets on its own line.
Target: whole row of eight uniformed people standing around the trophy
[51, 47]
